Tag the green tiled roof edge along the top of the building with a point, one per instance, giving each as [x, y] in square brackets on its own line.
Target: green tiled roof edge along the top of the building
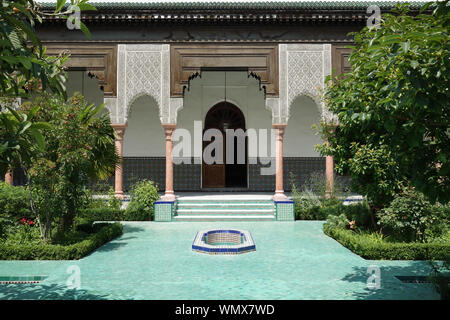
[257, 5]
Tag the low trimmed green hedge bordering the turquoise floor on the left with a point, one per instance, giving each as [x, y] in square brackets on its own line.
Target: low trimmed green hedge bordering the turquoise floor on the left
[42, 251]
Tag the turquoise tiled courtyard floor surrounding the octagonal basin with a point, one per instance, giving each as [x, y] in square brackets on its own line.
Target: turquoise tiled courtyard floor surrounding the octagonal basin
[293, 260]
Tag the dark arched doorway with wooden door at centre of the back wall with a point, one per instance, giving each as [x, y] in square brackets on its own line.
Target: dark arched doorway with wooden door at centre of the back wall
[222, 116]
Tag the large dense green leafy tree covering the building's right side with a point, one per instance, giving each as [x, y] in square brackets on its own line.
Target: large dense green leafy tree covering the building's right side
[393, 107]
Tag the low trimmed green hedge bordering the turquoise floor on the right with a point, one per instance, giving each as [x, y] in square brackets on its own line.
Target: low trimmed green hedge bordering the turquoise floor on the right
[368, 249]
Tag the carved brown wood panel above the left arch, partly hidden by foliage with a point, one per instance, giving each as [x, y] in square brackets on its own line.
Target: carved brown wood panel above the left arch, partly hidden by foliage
[98, 60]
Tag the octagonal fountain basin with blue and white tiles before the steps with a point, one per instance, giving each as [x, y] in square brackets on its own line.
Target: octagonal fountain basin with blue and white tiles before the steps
[223, 241]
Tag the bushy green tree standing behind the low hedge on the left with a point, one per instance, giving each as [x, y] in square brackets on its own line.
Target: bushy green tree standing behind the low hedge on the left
[80, 147]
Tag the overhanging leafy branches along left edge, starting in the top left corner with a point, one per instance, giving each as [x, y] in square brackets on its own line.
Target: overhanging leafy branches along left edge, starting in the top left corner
[25, 68]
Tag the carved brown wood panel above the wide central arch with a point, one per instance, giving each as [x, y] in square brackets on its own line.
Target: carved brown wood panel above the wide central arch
[187, 62]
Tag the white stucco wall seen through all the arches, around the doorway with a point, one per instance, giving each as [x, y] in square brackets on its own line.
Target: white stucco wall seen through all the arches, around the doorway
[144, 136]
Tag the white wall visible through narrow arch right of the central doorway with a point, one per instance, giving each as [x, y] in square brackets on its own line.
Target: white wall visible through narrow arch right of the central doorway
[300, 138]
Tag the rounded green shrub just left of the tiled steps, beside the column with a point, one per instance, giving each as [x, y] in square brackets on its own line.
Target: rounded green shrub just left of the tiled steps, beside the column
[142, 196]
